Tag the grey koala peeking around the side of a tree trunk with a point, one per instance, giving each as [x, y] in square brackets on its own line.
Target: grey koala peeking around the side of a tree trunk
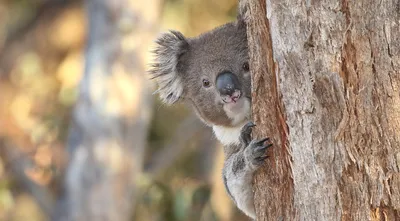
[211, 73]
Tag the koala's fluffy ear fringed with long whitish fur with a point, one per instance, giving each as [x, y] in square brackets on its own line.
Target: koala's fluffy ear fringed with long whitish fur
[170, 47]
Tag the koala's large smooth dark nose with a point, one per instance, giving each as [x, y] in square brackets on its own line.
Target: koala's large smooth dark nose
[227, 83]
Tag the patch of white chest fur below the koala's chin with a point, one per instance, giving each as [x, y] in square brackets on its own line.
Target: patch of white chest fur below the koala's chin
[228, 135]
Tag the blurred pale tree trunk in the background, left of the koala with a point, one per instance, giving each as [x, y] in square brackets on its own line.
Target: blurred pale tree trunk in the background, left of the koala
[111, 116]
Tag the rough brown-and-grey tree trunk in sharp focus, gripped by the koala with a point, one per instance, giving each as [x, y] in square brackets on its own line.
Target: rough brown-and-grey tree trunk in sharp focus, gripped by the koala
[326, 88]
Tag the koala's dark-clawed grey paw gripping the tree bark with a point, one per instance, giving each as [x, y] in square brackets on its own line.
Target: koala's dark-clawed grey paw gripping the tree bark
[255, 150]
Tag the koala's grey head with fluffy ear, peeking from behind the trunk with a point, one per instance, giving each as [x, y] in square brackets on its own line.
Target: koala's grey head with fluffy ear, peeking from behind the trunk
[210, 71]
